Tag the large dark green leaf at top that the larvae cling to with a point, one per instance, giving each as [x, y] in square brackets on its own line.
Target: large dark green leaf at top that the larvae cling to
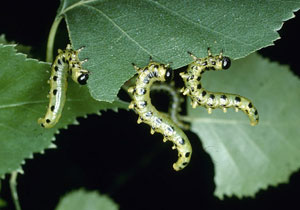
[117, 33]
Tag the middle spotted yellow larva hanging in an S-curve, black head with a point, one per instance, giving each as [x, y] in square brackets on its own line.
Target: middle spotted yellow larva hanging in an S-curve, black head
[148, 114]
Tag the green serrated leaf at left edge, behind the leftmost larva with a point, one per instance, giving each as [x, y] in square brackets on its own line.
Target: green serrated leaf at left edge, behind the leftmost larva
[23, 100]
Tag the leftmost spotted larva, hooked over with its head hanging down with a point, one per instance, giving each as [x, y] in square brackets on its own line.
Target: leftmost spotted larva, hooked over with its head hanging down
[66, 63]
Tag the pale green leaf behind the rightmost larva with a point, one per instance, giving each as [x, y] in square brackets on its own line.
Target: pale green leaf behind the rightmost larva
[250, 158]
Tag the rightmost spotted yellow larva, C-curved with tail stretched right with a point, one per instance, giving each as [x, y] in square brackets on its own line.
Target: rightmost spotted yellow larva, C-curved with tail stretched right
[213, 100]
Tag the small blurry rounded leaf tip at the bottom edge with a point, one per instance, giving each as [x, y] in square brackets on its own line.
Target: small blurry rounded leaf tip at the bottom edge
[83, 200]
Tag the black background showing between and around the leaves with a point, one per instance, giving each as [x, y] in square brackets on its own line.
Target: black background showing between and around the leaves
[114, 155]
